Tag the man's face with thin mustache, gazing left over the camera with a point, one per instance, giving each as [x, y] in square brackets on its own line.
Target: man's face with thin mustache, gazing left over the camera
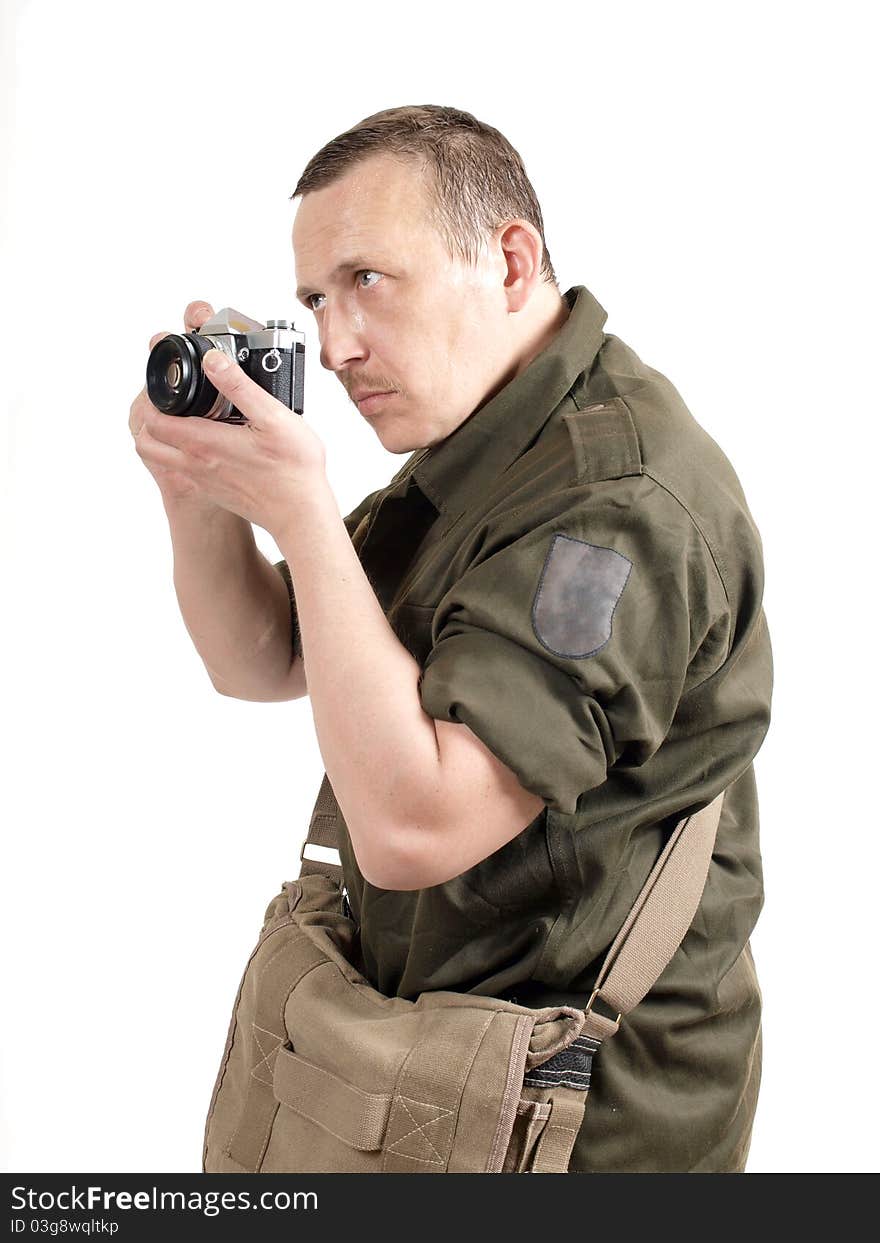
[401, 315]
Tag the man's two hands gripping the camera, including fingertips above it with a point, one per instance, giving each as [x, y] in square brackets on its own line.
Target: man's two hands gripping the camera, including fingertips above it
[260, 470]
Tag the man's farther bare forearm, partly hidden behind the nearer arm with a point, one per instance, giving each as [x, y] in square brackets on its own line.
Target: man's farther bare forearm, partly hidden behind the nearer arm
[234, 605]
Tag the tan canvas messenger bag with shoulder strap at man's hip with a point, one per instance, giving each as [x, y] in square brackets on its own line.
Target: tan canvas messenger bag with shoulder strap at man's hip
[323, 1073]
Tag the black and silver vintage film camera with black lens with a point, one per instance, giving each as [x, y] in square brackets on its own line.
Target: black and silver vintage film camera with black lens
[273, 355]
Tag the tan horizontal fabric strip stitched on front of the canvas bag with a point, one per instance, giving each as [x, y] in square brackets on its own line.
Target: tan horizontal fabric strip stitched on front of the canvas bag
[355, 1117]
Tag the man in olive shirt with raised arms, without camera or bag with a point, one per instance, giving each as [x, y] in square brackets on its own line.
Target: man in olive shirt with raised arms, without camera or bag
[531, 654]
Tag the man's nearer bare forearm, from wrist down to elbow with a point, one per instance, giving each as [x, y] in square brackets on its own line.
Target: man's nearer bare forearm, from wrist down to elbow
[378, 745]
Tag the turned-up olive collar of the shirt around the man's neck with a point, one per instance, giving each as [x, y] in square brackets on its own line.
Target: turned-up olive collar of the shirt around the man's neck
[459, 469]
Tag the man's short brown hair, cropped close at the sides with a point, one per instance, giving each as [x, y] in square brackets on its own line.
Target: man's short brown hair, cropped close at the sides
[478, 180]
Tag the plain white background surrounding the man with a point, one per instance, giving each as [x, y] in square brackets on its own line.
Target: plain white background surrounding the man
[707, 172]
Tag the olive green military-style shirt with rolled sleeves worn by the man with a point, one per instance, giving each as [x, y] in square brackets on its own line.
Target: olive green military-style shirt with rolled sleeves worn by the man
[579, 575]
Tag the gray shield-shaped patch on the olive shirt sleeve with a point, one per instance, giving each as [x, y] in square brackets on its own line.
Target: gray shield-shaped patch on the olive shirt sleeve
[577, 596]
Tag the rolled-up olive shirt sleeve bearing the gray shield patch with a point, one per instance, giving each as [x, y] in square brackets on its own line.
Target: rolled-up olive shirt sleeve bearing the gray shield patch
[566, 648]
